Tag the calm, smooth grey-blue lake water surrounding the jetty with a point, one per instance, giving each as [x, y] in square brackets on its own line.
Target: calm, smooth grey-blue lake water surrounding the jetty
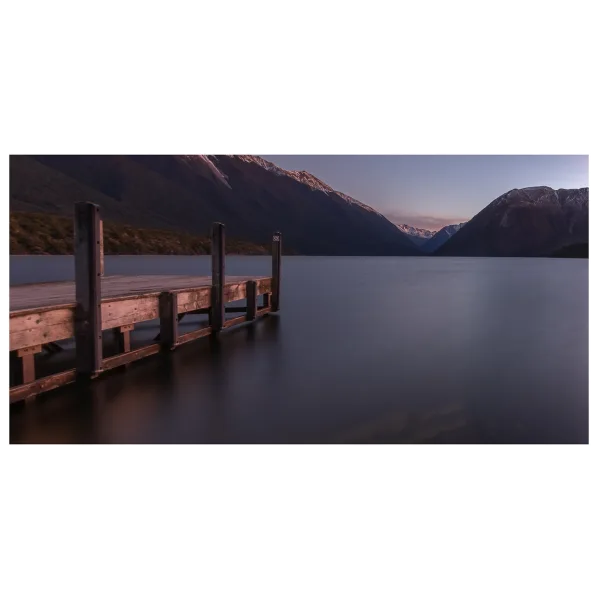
[364, 350]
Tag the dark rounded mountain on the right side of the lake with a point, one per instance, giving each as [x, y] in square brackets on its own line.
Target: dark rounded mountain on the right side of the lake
[527, 222]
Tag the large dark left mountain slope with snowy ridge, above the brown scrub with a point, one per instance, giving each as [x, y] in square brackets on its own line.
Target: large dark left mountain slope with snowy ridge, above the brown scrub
[251, 196]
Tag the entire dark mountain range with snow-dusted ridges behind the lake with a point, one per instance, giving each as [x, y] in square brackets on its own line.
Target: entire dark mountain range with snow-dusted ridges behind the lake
[255, 197]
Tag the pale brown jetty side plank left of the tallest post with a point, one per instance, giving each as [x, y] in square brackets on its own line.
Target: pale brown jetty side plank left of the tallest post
[41, 327]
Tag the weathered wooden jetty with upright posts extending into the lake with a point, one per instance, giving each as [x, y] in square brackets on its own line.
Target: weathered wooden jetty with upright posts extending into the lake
[42, 314]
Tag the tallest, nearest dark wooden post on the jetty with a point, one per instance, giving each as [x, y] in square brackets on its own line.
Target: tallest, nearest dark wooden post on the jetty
[88, 294]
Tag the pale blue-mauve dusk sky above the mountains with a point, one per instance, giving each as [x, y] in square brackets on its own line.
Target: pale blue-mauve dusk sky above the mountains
[433, 191]
